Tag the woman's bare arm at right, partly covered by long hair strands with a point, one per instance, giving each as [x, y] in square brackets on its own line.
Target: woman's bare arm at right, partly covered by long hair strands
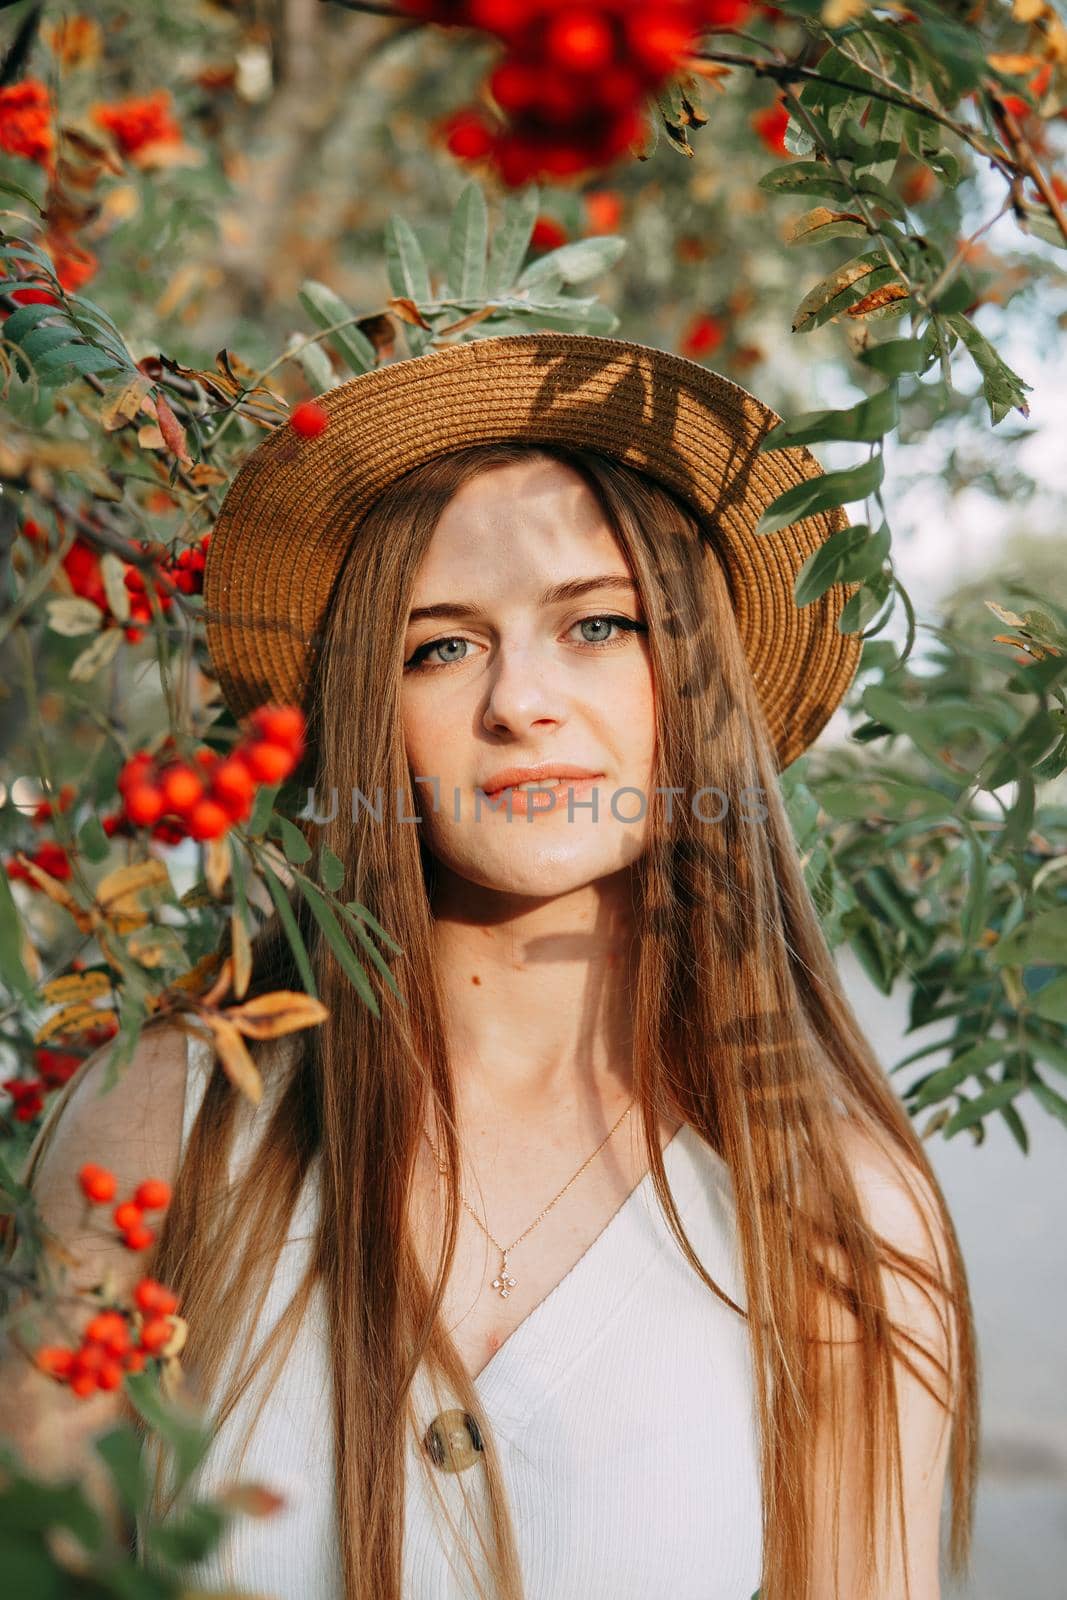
[897, 1209]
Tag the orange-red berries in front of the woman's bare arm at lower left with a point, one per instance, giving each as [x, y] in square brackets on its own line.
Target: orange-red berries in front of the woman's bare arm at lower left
[119, 1340]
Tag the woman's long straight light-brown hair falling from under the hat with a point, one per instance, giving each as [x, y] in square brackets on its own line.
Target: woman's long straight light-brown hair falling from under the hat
[724, 916]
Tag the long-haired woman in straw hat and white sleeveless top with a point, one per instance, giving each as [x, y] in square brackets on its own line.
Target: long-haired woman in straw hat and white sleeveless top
[604, 1262]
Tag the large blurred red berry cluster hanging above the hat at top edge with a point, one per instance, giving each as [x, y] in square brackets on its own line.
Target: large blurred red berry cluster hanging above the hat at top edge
[575, 78]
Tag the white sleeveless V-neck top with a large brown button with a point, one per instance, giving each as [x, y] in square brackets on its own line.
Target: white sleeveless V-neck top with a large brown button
[623, 1407]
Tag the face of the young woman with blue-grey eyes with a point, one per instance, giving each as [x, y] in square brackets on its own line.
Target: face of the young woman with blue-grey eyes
[510, 676]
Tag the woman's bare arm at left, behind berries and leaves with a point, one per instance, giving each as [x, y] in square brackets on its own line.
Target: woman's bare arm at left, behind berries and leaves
[135, 1132]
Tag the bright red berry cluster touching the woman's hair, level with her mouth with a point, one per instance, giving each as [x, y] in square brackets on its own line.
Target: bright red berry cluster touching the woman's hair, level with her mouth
[204, 798]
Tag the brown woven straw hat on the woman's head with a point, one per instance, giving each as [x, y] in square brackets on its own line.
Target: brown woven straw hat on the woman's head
[295, 503]
